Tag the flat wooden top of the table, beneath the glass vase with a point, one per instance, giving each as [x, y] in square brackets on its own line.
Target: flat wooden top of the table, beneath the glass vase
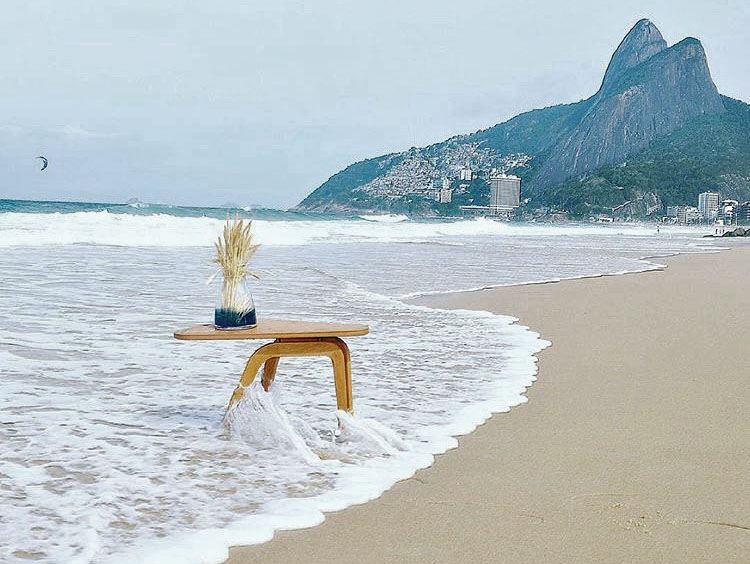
[274, 329]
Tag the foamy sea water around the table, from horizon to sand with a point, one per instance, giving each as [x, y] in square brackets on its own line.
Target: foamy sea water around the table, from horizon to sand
[113, 443]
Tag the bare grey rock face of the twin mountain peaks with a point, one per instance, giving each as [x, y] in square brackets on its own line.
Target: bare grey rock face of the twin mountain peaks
[649, 90]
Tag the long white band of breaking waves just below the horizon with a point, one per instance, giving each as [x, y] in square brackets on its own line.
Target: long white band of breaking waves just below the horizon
[164, 230]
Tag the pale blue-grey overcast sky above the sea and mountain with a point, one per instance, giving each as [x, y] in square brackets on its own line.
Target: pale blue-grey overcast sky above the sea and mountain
[201, 103]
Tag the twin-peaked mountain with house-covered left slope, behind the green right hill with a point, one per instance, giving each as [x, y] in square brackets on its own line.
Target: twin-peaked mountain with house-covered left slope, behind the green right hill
[649, 90]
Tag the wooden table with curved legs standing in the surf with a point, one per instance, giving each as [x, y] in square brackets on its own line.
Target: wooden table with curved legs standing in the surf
[291, 338]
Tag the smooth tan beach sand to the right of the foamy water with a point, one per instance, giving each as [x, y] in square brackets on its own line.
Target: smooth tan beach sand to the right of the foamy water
[634, 445]
